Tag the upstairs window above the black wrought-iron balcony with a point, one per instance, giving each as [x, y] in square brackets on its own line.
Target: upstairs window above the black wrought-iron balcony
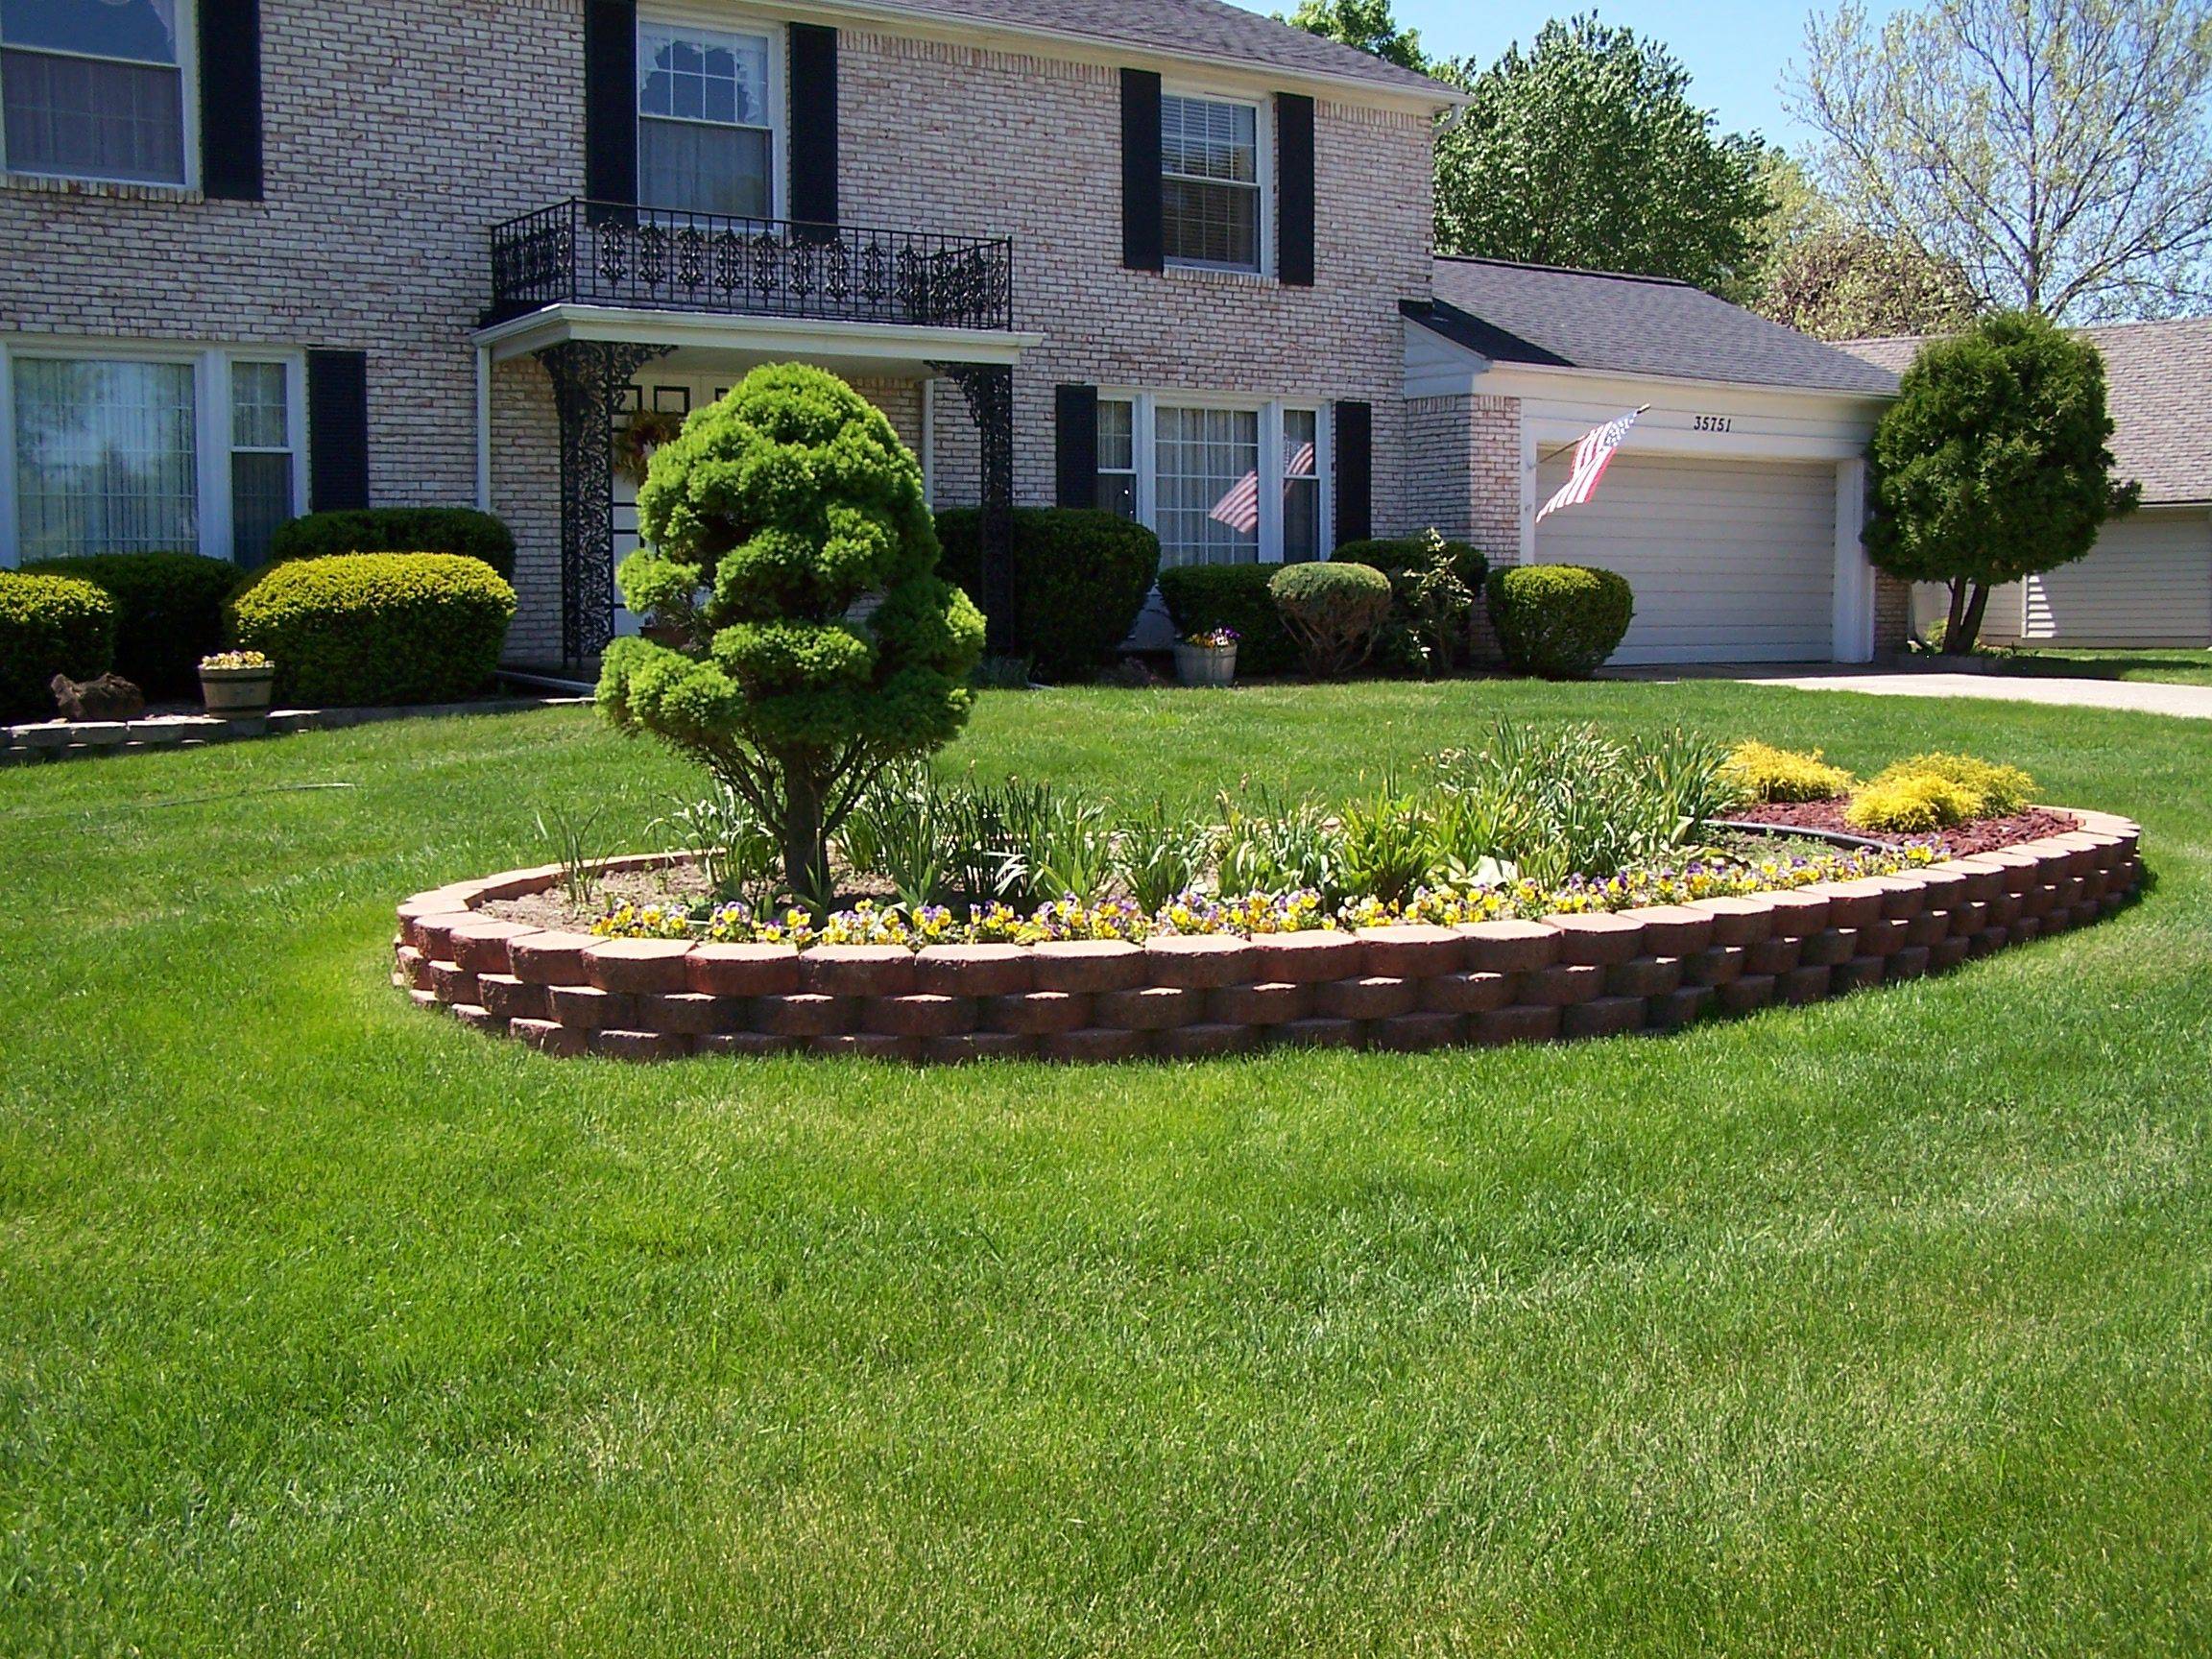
[705, 123]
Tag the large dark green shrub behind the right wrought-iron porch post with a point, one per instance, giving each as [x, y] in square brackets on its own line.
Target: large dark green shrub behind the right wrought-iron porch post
[1081, 578]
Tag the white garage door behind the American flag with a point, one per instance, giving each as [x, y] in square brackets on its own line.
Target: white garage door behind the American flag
[1733, 561]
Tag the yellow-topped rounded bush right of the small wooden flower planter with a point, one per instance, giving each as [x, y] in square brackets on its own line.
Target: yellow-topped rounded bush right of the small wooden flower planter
[375, 629]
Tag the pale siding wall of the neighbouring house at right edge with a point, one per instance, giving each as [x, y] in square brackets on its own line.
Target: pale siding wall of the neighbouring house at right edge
[2147, 583]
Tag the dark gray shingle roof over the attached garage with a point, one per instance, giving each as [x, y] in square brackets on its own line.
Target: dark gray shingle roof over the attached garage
[1594, 320]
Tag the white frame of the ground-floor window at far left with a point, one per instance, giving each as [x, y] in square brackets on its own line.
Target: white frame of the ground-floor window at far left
[211, 426]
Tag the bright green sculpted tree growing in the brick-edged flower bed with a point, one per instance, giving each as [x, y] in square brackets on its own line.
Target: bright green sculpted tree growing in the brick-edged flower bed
[784, 505]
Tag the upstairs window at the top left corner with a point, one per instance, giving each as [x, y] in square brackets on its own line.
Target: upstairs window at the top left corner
[94, 90]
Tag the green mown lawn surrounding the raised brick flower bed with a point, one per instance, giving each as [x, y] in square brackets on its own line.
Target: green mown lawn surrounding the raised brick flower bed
[331, 1328]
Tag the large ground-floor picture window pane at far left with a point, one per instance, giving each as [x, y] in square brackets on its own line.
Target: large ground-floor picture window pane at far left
[105, 457]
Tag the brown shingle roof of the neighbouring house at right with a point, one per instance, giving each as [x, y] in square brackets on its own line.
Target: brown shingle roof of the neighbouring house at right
[2158, 379]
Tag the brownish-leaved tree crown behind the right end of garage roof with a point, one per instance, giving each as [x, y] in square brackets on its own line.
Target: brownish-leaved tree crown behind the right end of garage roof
[1853, 284]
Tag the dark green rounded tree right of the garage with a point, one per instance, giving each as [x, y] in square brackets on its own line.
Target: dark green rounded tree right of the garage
[1992, 466]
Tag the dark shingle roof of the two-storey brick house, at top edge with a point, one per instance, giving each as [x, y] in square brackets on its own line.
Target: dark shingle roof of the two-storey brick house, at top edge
[1209, 30]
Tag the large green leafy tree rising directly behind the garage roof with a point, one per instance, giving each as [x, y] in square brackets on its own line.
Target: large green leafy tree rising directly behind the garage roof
[1587, 152]
